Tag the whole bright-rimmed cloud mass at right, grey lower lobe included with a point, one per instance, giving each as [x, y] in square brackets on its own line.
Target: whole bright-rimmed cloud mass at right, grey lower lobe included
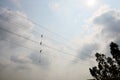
[105, 24]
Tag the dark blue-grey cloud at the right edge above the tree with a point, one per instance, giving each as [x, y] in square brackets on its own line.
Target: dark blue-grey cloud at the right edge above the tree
[110, 23]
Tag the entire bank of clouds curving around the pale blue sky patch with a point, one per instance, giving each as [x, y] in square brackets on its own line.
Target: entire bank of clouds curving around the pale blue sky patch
[16, 61]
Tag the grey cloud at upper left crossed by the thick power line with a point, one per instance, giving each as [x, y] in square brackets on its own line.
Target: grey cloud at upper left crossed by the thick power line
[12, 21]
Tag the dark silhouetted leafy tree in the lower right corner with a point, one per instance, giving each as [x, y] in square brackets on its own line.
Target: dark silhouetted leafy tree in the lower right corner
[108, 68]
